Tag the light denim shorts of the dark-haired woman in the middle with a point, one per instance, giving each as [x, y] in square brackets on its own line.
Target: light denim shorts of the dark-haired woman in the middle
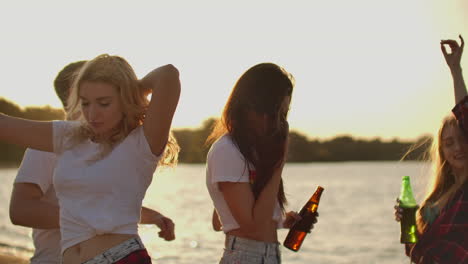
[245, 251]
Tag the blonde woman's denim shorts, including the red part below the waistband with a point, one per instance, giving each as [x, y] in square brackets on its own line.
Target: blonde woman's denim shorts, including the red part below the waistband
[129, 251]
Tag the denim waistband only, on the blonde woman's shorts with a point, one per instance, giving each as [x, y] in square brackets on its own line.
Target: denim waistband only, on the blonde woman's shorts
[118, 252]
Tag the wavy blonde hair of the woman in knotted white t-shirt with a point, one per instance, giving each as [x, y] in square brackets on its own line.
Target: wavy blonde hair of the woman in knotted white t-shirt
[116, 71]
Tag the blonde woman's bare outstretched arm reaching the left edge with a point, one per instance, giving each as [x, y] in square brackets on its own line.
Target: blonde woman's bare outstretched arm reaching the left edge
[26, 133]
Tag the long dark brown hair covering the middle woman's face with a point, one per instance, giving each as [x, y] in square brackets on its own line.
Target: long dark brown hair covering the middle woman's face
[262, 89]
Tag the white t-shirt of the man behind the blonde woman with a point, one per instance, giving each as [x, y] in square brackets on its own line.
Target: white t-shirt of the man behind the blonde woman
[37, 168]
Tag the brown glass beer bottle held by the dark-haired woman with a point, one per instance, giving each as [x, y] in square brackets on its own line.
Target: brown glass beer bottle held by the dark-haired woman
[300, 229]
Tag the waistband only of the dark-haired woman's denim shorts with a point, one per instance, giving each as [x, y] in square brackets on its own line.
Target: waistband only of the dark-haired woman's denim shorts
[259, 247]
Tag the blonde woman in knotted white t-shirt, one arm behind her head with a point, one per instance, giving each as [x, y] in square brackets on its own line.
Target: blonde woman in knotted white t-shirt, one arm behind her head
[106, 160]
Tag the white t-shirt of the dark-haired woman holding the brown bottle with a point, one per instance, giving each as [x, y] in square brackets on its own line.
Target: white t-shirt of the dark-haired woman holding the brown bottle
[225, 163]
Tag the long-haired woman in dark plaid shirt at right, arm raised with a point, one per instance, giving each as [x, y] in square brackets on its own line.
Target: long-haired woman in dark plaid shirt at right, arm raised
[442, 219]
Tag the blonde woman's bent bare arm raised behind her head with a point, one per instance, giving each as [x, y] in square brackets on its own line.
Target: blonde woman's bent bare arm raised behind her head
[165, 86]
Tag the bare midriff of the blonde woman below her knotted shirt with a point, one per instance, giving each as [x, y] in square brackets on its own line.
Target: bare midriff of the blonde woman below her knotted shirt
[90, 248]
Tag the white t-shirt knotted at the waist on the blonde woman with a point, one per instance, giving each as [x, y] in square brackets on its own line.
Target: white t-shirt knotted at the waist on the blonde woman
[101, 197]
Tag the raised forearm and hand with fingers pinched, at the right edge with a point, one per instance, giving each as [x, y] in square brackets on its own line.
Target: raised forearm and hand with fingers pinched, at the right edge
[453, 61]
